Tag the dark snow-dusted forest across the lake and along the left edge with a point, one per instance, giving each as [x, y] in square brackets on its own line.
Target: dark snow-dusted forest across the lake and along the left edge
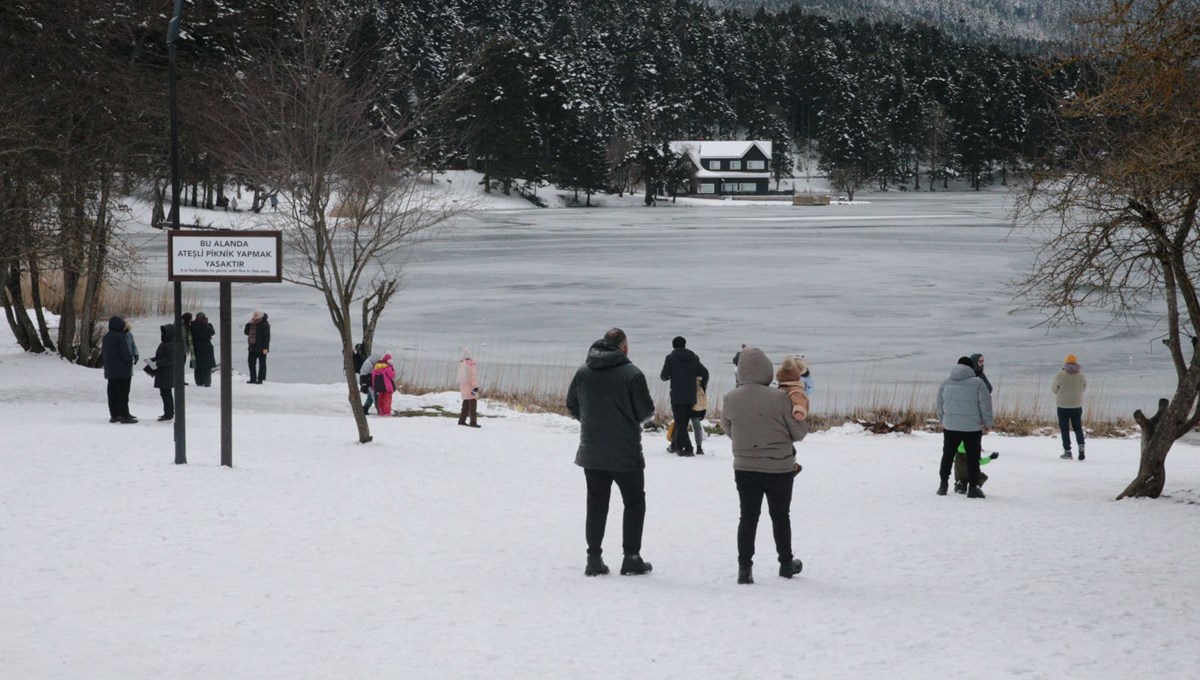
[581, 94]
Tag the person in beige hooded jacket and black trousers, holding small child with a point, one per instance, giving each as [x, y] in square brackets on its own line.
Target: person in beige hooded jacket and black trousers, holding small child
[760, 423]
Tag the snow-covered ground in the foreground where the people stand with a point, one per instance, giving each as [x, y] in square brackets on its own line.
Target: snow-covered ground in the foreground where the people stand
[442, 552]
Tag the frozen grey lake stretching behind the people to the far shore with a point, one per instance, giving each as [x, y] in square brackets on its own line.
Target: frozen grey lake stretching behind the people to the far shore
[881, 297]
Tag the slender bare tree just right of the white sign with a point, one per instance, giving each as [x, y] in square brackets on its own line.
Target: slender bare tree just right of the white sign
[319, 127]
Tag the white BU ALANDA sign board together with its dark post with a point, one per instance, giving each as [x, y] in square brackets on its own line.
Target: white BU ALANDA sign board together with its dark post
[225, 257]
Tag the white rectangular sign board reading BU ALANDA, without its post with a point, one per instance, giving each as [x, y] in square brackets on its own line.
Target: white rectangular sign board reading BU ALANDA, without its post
[225, 256]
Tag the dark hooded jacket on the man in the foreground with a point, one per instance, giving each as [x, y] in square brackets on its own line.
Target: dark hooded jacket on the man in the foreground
[610, 399]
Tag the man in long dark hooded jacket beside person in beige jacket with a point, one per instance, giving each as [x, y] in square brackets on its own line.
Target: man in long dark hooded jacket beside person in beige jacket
[611, 400]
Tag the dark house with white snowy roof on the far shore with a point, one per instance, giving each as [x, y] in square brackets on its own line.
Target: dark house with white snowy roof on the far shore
[724, 169]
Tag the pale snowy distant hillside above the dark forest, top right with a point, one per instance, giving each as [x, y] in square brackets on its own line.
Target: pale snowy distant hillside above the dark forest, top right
[1040, 21]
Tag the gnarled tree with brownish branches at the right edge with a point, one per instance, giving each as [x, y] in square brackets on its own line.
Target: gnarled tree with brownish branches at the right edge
[1121, 210]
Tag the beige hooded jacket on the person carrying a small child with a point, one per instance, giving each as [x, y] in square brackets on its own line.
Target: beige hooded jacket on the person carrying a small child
[759, 419]
